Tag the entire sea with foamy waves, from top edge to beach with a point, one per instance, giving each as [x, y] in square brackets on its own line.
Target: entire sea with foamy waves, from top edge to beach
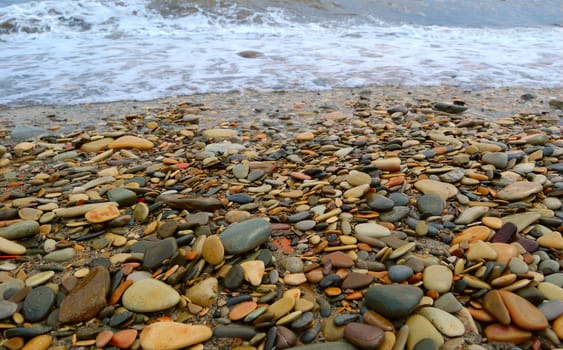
[74, 51]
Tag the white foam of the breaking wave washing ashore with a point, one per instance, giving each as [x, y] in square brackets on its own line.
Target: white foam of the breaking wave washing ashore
[131, 52]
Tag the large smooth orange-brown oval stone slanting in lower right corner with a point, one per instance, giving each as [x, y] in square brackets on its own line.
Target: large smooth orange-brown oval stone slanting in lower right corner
[523, 313]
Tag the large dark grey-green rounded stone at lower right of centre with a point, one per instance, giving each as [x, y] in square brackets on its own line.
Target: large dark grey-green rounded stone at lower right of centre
[393, 301]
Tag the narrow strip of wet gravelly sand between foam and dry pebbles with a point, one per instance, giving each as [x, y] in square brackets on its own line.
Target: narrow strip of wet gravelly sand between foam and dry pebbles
[486, 102]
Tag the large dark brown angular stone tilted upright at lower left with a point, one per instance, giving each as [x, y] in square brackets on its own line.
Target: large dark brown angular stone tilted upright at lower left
[87, 298]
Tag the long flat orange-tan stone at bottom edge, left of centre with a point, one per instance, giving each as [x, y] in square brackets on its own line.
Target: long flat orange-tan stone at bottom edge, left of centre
[173, 335]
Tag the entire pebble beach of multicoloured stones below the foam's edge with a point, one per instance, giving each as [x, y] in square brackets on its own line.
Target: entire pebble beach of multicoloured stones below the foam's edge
[381, 218]
